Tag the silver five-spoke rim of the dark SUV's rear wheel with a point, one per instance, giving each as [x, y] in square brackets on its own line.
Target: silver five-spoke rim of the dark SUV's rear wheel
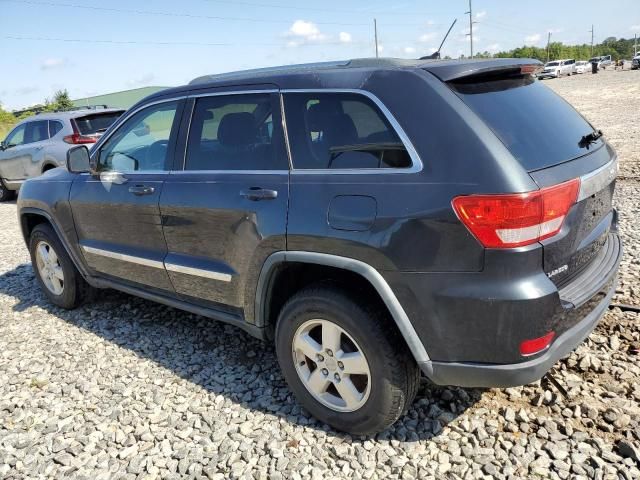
[331, 365]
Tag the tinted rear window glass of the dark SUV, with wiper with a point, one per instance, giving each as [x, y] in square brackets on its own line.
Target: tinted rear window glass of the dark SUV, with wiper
[536, 125]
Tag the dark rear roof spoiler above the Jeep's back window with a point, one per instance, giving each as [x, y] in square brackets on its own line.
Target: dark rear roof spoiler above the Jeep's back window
[450, 70]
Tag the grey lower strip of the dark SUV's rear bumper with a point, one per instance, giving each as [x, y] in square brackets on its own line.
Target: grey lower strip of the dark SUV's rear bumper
[488, 375]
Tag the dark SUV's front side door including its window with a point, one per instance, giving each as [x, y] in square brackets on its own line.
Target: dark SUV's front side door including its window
[116, 210]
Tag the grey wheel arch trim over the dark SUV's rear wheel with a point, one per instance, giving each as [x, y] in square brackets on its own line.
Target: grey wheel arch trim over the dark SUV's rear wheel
[277, 261]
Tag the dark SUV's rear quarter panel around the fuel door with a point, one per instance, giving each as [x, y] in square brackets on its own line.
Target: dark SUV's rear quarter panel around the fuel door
[415, 227]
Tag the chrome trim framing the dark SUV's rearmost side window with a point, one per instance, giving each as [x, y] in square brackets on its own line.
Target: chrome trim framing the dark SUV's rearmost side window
[416, 161]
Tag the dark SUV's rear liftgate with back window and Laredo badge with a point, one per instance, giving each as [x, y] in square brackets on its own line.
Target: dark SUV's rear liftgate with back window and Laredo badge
[554, 144]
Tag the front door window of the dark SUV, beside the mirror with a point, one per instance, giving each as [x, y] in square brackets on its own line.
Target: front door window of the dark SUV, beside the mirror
[141, 142]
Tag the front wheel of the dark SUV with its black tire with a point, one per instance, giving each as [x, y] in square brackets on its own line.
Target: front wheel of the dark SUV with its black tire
[73, 289]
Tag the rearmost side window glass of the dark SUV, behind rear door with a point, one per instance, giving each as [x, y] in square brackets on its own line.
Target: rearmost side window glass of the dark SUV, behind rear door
[341, 131]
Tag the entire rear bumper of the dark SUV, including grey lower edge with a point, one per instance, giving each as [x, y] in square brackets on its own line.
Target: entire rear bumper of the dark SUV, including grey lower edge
[472, 325]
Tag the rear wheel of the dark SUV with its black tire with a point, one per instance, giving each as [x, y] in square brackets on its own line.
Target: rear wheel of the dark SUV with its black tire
[393, 378]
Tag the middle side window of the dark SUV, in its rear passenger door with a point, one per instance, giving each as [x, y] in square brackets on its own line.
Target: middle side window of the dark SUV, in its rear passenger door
[235, 132]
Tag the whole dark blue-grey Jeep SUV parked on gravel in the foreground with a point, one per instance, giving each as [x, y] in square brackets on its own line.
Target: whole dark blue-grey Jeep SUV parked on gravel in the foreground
[372, 218]
